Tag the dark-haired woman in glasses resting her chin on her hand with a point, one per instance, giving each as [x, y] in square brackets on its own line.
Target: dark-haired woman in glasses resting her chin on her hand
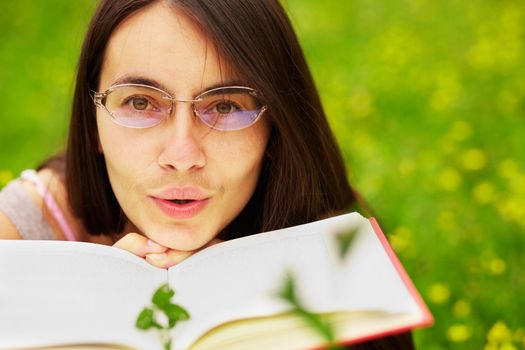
[192, 122]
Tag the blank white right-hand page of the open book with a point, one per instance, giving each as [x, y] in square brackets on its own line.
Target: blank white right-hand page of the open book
[241, 278]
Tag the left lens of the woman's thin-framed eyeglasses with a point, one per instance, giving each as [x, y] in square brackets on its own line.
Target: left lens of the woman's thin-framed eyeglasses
[137, 106]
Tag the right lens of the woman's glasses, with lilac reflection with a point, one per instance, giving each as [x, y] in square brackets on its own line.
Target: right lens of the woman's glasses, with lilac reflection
[228, 109]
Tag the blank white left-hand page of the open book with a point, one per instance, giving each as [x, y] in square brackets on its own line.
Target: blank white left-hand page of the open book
[56, 292]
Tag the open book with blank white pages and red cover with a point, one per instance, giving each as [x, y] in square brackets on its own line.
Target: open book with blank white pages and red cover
[82, 295]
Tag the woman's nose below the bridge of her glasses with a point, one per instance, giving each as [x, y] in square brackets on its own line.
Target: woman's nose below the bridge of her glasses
[182, 145]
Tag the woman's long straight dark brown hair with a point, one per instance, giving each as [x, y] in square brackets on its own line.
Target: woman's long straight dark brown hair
[303, 177]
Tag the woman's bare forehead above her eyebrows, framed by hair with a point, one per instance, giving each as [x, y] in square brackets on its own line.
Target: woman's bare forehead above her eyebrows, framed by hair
[160, 43]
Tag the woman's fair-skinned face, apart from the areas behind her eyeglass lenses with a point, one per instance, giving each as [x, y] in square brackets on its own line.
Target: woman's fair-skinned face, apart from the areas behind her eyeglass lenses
[180, 182]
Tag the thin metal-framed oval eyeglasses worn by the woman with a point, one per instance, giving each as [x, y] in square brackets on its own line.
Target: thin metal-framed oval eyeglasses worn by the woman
[226, 108]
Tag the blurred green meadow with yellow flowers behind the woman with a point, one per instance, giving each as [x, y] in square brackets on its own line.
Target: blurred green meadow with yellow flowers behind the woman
[427, 101]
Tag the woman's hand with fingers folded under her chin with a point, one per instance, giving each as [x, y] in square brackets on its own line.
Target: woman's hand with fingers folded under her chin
[154, 253]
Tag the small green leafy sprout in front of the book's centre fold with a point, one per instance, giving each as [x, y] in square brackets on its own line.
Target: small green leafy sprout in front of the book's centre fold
[162, 315]
